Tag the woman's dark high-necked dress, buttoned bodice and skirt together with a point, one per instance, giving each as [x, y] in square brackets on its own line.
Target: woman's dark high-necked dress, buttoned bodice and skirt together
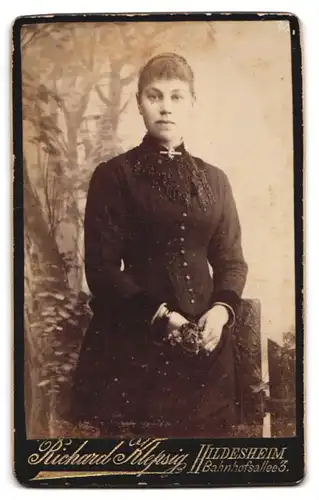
[159, 228]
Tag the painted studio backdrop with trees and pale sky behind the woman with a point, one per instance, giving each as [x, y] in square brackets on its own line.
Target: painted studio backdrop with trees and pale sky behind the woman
[79, 108]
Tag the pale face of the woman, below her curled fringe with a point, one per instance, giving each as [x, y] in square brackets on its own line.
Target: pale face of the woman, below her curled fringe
[166, 106]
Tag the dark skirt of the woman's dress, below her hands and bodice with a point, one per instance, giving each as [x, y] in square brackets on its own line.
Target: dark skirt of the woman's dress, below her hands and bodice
[128, 383]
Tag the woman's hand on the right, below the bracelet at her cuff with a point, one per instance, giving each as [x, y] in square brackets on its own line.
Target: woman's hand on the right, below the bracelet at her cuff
[212, 323]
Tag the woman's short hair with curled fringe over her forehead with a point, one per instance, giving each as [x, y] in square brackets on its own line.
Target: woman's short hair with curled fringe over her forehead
[167, 66]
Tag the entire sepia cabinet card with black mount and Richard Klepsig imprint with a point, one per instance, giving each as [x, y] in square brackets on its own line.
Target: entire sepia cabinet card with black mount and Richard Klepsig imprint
[158, 250]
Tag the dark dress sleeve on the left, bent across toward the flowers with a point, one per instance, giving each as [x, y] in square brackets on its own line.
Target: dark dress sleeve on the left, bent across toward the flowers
[106, 232]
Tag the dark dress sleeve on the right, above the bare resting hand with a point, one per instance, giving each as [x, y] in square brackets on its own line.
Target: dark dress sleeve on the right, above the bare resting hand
[225, 253]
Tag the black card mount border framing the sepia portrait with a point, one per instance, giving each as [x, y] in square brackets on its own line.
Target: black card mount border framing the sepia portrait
[25, 450]
